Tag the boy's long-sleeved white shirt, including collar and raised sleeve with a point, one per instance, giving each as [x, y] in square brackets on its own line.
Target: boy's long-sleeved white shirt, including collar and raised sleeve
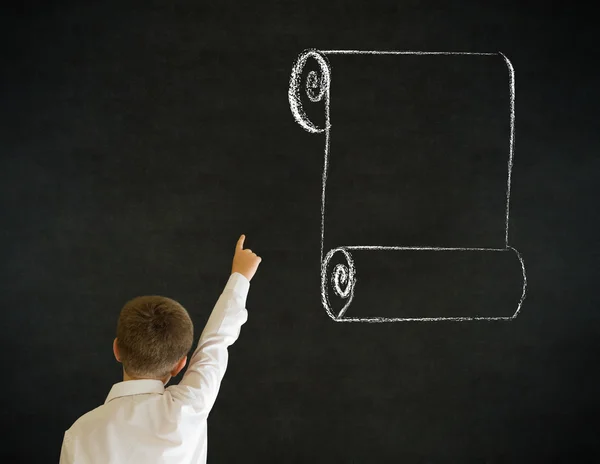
[141, 422]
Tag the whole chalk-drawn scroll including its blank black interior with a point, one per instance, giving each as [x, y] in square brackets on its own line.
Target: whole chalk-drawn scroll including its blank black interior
[418, 153]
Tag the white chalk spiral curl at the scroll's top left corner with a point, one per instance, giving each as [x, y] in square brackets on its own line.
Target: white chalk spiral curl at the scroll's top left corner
[316, 88]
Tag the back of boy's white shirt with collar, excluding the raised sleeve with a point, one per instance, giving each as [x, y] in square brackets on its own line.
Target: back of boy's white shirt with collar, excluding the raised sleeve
[145, 426]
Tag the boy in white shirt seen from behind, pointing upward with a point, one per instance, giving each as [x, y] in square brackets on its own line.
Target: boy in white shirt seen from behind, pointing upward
[141, 421]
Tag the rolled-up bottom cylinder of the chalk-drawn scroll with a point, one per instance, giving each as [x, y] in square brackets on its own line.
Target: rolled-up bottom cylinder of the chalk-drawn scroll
[379, 285]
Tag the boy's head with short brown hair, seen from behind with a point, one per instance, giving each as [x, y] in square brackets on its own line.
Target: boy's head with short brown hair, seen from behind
[154, 335]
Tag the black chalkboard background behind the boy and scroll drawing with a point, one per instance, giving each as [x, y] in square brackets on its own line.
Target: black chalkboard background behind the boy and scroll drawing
[139, 139]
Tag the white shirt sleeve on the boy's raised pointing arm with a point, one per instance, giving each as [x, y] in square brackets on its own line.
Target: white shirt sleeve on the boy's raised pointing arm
[200, 383]
